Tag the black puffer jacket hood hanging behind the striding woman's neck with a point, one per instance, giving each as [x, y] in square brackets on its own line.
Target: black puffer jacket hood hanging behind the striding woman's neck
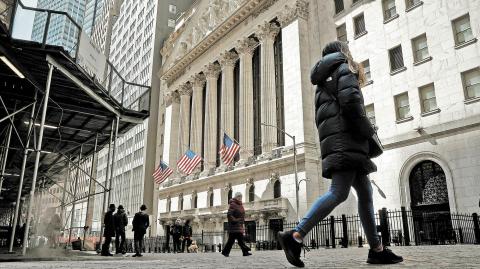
[324, 68]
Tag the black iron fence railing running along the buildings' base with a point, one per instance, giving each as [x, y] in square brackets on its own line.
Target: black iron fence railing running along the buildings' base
[396, 227]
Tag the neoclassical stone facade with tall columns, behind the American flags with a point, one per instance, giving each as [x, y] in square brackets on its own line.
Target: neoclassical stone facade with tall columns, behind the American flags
[237, 67]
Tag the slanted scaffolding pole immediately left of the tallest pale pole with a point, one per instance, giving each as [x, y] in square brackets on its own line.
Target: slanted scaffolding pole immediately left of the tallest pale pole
[22, 174]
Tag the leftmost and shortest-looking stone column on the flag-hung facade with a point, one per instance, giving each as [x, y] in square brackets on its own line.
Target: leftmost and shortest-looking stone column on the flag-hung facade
[173, 99]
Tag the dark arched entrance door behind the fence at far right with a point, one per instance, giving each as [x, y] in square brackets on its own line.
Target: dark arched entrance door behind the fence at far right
[429, 203]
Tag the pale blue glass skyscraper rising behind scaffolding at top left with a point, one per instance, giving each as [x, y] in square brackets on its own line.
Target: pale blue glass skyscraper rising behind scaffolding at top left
[61, 31]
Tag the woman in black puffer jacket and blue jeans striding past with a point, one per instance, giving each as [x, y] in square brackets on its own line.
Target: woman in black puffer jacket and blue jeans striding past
[346, 147]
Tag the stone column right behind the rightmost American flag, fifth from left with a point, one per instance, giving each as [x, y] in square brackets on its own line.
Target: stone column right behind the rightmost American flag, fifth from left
[227, 61]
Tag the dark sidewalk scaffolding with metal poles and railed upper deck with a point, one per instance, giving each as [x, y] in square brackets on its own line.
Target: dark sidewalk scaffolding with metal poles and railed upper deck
[54, 116]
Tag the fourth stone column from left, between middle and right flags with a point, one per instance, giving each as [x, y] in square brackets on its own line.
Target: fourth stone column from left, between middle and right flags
[211, 71]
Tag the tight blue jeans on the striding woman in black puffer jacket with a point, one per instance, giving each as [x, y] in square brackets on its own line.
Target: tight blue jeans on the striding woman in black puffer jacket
[342, 181]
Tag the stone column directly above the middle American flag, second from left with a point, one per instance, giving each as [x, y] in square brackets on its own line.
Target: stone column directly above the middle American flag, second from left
[185, 92]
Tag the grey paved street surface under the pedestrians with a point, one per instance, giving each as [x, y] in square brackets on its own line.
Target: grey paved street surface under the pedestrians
[467, 256]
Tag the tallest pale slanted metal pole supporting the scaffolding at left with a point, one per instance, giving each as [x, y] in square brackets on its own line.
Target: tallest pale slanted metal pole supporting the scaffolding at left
[37, 157]
